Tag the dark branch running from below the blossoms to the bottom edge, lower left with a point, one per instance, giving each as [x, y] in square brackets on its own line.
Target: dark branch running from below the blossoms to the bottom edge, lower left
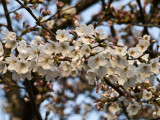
[32, 99]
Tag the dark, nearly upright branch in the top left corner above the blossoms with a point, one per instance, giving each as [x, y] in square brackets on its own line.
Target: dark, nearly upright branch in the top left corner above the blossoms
[7, 15]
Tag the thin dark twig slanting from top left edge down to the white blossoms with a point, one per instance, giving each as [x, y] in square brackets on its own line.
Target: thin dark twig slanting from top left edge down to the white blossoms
[37, 21]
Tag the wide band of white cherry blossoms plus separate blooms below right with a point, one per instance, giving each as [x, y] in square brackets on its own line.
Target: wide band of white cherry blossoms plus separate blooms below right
[90, 55]
